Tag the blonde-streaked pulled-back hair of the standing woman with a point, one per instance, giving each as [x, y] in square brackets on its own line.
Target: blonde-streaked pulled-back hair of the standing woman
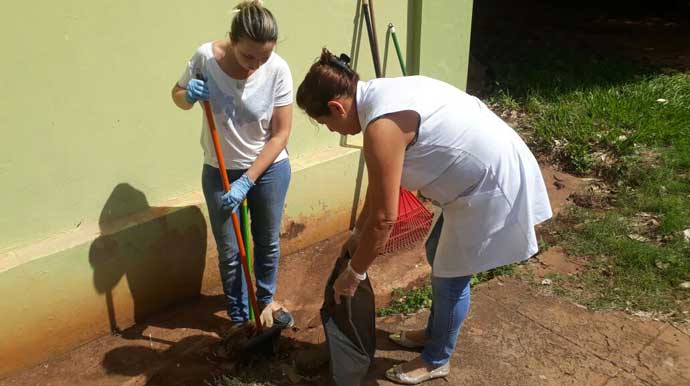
[253, 21]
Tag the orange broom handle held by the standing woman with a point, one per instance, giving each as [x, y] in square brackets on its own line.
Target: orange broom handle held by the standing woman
[235, 220]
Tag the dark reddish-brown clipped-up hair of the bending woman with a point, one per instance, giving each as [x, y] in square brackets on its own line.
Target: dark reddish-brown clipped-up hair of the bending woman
[329, 78]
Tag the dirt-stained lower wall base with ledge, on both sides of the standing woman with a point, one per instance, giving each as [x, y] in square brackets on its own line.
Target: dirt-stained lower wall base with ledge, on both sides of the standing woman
[140, 263]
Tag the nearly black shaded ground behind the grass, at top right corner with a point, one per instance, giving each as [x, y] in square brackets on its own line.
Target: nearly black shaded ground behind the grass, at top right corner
[555, 47]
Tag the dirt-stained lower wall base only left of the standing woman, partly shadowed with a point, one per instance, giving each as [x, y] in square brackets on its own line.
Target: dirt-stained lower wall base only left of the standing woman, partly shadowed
[74, 295]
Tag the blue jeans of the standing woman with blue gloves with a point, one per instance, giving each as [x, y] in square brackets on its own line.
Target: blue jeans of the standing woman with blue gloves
[265, 200]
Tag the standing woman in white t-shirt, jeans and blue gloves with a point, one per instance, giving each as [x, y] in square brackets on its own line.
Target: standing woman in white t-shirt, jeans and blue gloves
[250, 90]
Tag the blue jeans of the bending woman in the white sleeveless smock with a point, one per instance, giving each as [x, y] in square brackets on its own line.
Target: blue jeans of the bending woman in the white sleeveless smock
[450, 304]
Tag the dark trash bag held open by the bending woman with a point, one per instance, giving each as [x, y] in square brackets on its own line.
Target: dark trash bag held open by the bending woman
[350, 330]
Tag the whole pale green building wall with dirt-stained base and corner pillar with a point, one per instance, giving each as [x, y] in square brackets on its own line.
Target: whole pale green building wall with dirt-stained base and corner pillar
[102, 214]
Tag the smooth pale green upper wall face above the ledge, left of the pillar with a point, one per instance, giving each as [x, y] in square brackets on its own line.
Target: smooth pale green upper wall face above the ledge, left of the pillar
[86, 102]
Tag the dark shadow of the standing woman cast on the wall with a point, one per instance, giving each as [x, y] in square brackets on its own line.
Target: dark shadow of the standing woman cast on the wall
[160, 251]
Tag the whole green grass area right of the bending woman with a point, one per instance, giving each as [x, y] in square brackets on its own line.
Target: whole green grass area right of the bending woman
[630, 126]
